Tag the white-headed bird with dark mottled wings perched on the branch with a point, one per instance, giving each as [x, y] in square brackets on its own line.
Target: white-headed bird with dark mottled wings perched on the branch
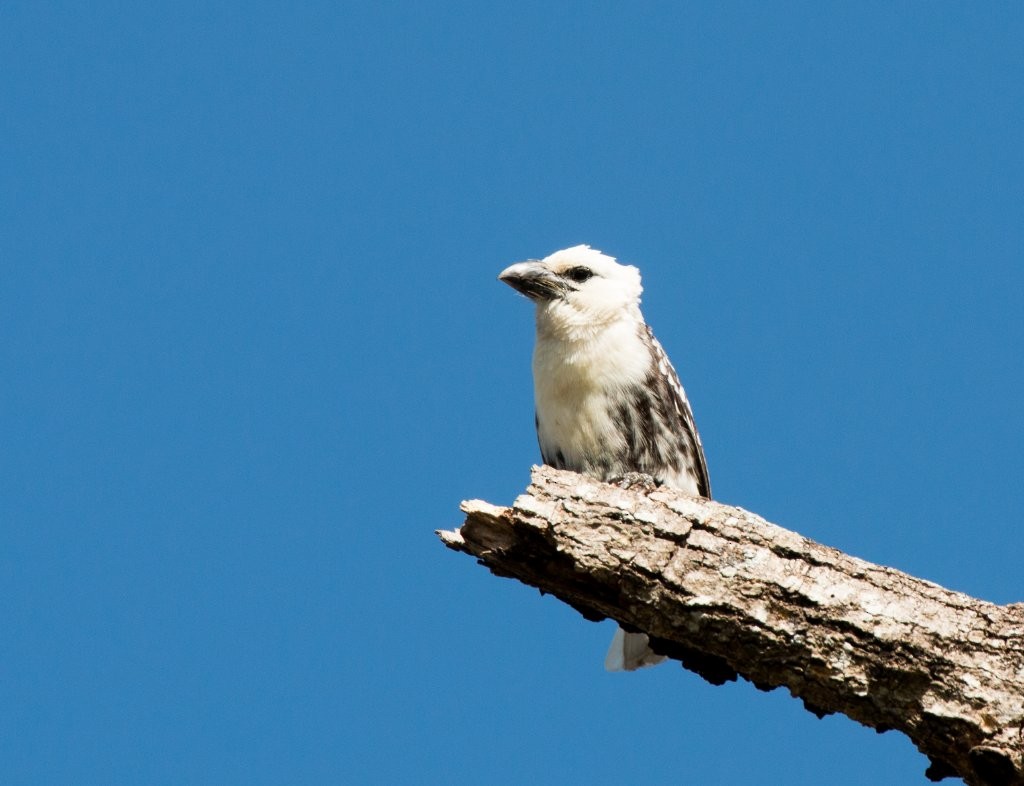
[609, 403]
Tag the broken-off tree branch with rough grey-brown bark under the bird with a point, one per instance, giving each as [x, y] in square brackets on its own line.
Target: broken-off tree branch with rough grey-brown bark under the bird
[730, 594]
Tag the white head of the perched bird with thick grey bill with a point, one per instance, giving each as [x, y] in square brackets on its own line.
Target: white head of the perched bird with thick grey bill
[578, 288]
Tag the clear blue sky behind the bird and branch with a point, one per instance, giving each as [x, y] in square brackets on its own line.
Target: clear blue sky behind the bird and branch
[254, 354]
